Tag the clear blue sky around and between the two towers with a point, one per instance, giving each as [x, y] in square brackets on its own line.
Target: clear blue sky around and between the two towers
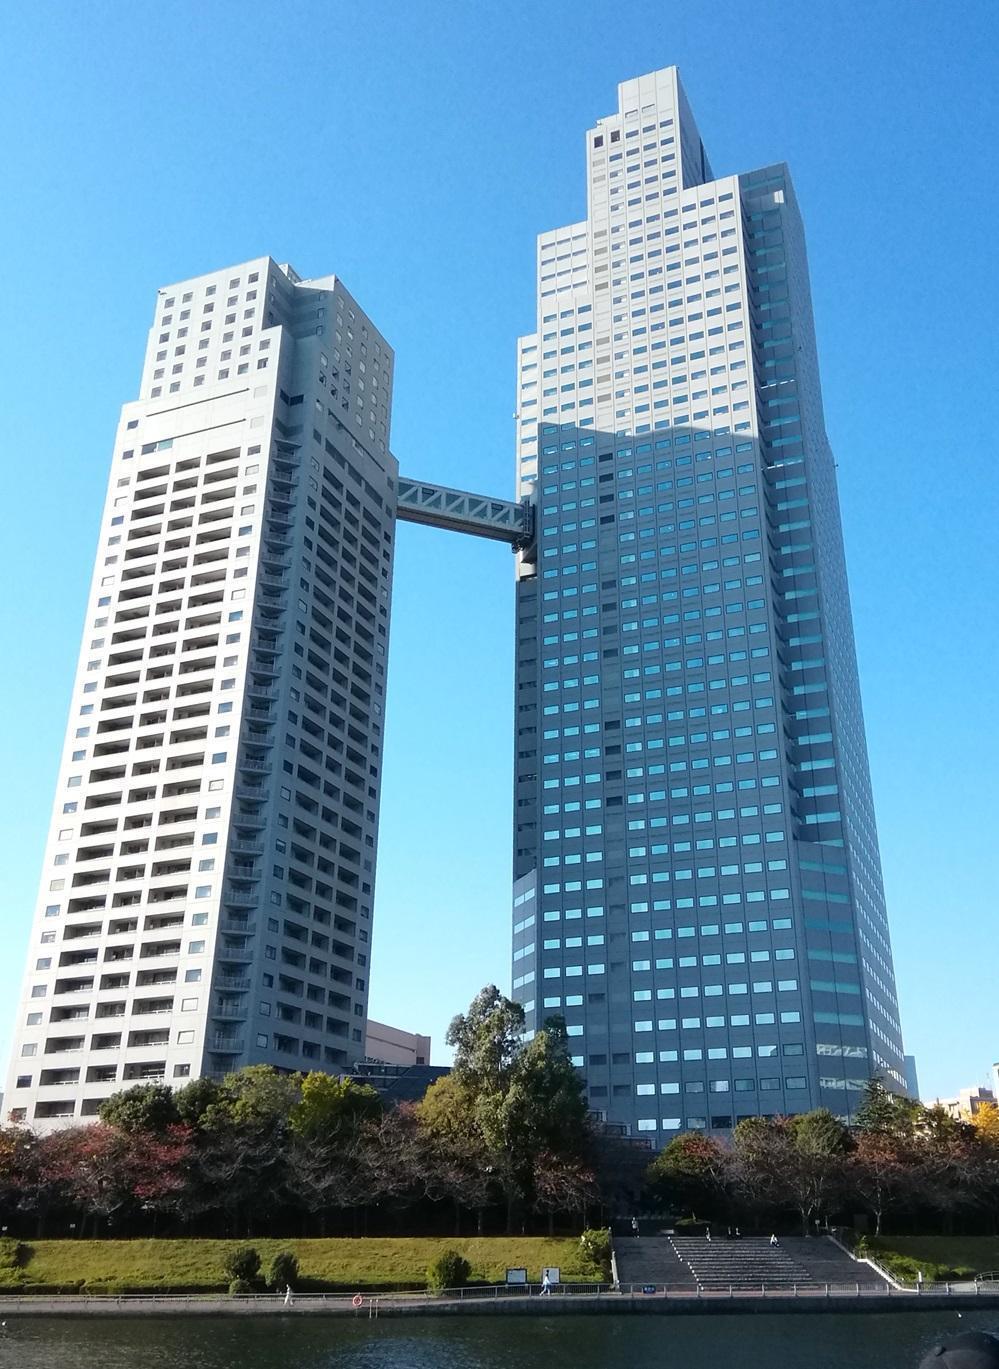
[417, 150]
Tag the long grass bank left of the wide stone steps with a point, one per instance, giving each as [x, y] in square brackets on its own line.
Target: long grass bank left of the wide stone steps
[352, 1264]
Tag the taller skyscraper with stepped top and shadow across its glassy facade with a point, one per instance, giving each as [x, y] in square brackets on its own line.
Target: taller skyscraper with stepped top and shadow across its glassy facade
[697, 878]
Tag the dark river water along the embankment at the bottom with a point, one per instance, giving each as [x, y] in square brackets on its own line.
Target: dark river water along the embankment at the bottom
[859, 1341]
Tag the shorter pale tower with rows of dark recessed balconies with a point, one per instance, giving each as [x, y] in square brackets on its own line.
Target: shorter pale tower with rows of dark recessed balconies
[207, 891]
